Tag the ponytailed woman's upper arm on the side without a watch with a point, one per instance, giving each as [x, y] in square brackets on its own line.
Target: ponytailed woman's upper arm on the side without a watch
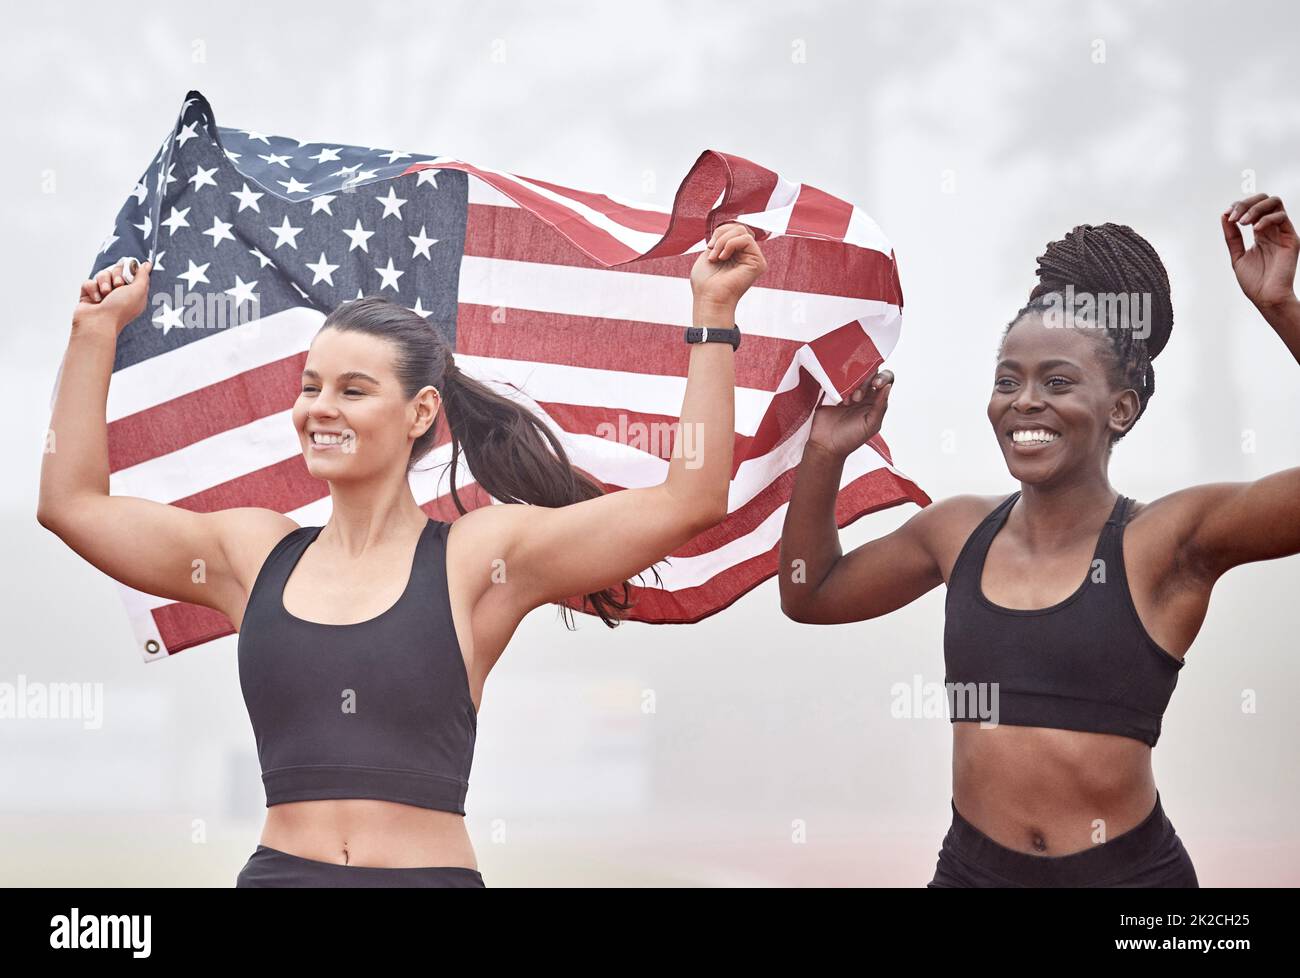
[158, 548]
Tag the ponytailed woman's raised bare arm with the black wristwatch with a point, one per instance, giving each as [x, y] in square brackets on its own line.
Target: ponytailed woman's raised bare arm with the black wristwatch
[556, 553]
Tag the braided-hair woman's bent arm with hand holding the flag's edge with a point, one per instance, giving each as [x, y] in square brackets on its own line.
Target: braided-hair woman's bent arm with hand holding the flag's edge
[818, 583]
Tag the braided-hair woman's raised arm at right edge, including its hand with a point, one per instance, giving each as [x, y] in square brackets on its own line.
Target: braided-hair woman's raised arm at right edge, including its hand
[1227, 525]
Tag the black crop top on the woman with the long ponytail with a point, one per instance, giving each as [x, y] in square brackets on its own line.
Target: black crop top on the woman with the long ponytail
[380, 709]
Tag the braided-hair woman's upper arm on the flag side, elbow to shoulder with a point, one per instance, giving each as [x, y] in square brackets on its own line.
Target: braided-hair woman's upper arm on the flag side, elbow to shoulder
[878, 577]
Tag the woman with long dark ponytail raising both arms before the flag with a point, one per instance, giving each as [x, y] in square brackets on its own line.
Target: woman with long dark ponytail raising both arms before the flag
[365, 644]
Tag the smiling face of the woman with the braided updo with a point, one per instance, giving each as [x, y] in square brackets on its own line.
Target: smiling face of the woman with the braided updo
[1054, 409]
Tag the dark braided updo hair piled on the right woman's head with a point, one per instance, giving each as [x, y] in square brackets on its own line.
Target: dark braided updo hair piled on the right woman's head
[1110, 258]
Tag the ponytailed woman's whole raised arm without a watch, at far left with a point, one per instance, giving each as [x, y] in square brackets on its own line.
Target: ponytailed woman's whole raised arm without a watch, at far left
[153, 547]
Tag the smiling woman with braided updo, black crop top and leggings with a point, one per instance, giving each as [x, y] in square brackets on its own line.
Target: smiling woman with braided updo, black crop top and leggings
[1058, 689]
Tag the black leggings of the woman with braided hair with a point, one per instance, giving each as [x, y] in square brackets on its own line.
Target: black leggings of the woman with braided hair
[1150, 855]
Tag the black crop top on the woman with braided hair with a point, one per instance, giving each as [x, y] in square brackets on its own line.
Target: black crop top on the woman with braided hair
[1084, 664]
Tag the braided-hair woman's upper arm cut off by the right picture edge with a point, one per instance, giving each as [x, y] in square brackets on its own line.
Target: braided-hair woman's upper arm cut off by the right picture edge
[1227, 525]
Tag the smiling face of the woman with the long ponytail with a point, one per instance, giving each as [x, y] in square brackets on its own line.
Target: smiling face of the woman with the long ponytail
[353, 419]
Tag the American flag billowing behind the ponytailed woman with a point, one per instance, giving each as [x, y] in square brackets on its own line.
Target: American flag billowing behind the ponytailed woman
[571, 302]
